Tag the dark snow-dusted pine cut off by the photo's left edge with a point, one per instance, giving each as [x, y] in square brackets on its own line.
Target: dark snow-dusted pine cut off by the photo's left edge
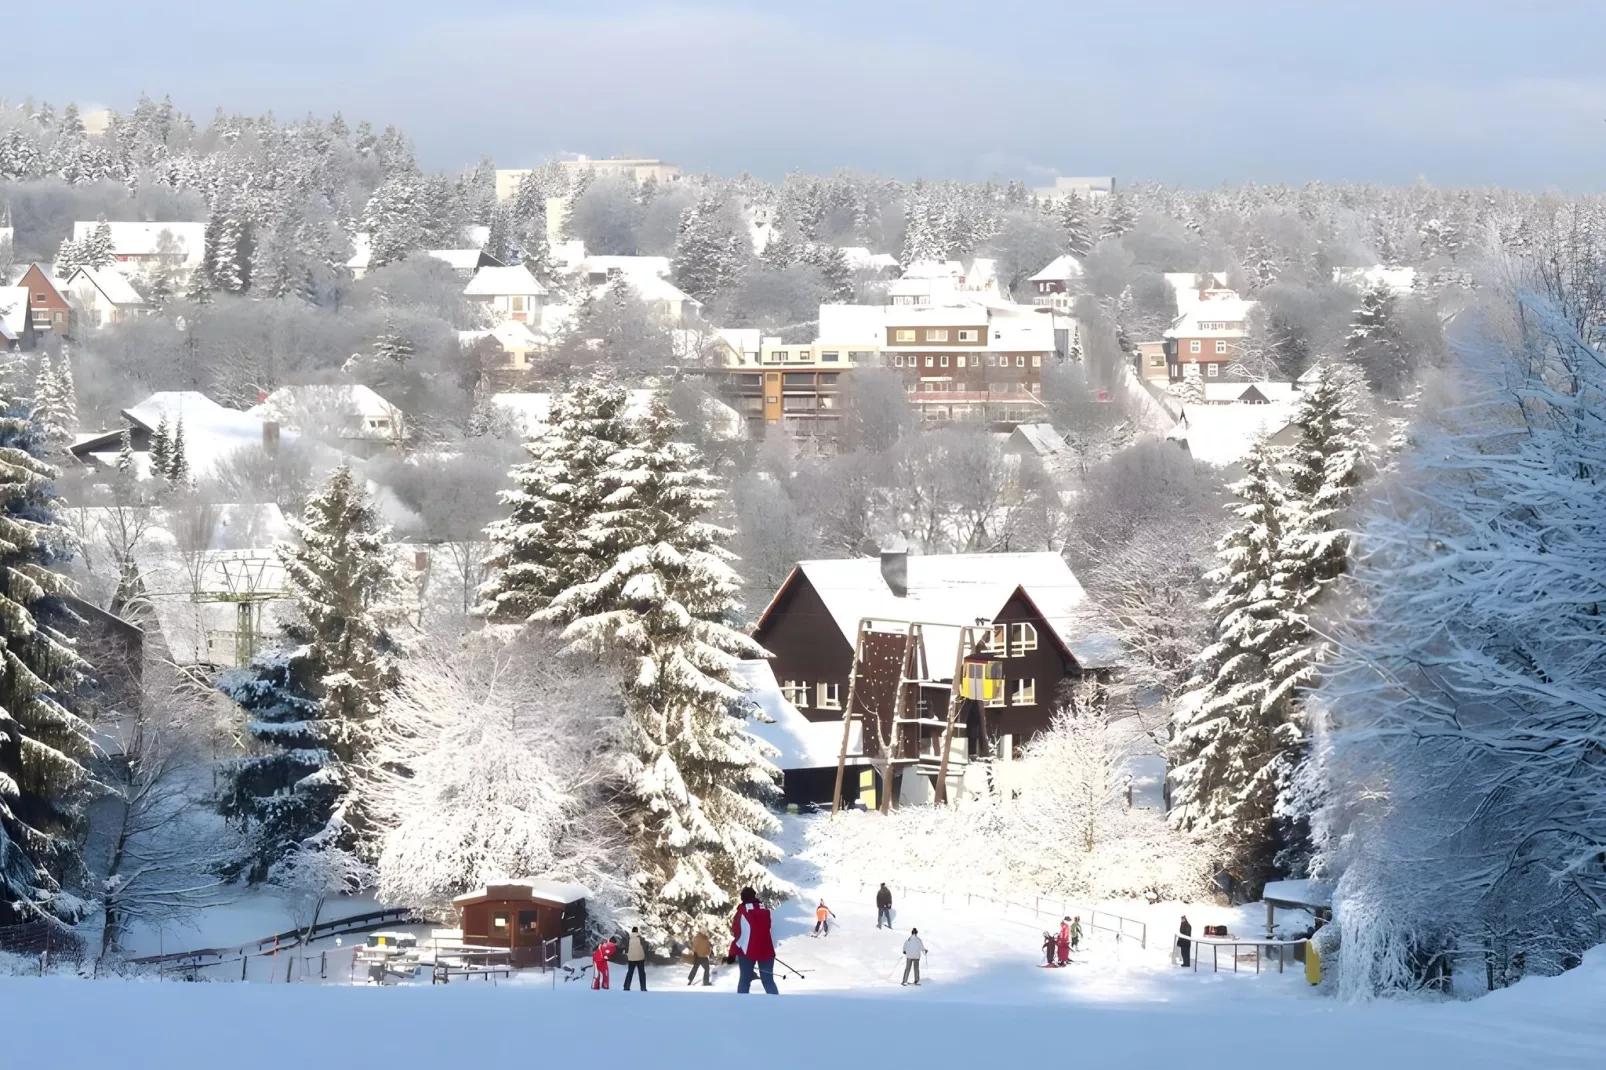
[43, 741]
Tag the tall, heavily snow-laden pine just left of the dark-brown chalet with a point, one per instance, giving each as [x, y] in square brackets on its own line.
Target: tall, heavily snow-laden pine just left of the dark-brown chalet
[695, 782]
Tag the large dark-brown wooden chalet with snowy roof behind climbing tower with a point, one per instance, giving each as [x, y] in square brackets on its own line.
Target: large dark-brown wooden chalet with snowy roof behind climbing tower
[1033, 613]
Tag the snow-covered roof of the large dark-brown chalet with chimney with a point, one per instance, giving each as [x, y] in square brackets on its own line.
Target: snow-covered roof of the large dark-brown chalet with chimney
[948, 592]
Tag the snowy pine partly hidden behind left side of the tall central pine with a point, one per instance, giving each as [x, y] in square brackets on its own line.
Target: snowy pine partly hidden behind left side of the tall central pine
[539, 550]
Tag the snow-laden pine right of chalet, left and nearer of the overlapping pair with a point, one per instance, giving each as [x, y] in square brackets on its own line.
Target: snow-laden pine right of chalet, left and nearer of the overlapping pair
[1239, 732]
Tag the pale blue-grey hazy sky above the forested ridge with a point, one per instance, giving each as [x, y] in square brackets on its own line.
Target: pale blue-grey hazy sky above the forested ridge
[1194, 92]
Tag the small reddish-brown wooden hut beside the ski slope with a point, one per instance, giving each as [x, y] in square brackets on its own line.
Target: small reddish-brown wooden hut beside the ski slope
[544, 923]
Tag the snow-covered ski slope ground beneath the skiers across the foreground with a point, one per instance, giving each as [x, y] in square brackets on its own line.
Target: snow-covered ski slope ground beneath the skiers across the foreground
[984, 1000]
